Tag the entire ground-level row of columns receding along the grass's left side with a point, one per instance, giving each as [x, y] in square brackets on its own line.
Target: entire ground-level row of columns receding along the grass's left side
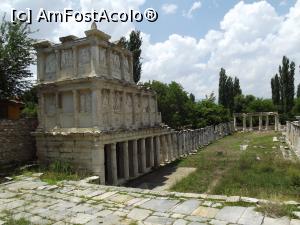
[129, 159]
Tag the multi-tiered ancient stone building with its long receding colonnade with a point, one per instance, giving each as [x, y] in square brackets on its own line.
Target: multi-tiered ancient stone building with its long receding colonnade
[94, 116]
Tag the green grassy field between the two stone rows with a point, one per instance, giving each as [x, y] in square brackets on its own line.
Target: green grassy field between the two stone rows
[260, 171]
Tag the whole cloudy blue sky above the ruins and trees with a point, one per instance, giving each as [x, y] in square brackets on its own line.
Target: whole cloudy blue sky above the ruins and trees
[193, 39]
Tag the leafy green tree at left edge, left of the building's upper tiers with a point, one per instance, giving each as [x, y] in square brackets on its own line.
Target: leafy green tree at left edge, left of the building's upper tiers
[16, 55]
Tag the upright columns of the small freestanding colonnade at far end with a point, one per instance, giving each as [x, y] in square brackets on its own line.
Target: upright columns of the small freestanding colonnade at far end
[260, 123]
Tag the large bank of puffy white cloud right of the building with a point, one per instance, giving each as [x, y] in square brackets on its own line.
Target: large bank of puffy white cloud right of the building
[250, 43]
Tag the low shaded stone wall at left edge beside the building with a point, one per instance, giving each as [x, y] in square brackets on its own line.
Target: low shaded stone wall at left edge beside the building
[17, 146]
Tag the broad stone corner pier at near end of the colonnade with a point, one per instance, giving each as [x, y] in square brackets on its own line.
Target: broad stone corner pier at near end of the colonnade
[98, 161]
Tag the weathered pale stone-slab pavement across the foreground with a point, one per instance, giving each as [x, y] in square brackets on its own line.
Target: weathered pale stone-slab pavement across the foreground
[84, 203]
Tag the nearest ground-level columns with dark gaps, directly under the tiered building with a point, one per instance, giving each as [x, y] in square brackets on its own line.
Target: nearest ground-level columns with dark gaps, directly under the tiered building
[130, 159]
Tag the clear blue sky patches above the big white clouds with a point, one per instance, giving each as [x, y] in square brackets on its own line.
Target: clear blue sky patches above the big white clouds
[207, 17]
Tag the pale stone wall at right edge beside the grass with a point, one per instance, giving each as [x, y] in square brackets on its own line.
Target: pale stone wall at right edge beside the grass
[293, 136]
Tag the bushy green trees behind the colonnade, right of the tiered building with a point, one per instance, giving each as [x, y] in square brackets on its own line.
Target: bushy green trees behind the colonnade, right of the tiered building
[178, 110]
